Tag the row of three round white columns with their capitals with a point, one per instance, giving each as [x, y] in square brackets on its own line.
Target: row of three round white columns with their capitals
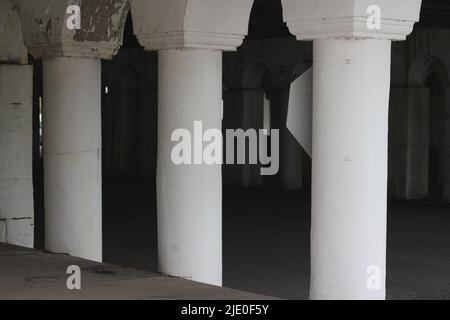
[350, 119]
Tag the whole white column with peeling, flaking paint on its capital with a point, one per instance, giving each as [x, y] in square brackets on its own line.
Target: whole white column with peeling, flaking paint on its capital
[72, 115]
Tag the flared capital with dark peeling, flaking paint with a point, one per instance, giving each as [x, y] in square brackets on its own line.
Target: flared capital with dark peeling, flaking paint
[46, 33]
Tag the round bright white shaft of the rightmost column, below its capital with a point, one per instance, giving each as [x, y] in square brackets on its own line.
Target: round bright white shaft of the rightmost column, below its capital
[349, 178]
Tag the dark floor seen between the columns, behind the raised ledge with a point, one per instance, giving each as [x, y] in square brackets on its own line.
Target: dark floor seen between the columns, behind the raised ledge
[266, 240]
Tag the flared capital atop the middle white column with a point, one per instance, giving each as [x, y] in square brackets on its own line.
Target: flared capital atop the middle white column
[196, 24]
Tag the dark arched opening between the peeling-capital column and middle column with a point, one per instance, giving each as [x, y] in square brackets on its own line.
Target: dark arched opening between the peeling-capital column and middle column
[129, 139]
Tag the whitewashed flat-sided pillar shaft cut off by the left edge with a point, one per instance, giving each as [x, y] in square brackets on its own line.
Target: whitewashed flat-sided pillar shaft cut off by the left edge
[16, 185]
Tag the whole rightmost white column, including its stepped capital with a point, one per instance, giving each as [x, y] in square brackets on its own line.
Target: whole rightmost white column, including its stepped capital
[351, 81]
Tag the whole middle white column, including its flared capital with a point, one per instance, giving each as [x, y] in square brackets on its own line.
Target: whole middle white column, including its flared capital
[190, 37]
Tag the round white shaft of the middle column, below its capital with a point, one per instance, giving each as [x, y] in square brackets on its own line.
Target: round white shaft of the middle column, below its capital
[189, 197]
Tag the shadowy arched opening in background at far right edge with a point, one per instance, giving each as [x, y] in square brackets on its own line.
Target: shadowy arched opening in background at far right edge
[427, 158]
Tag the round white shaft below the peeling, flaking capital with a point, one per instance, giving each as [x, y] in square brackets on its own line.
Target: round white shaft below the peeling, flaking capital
[72, 156]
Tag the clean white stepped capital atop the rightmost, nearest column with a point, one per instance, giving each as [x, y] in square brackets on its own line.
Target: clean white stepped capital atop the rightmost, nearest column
[357, 19]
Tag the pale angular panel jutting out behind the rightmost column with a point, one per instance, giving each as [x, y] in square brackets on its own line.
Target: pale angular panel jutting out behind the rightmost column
[299, 119]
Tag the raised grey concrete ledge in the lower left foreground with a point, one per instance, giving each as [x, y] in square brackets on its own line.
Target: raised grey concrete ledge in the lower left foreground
[31, 274]
